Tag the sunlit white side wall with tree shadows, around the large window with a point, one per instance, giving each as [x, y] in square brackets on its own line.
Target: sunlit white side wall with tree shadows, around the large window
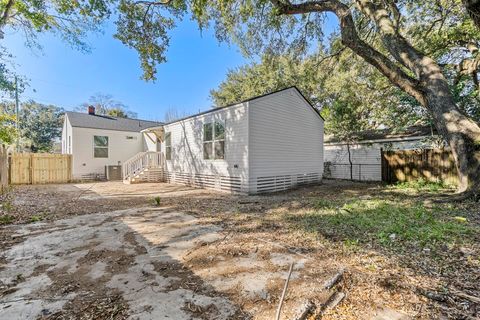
[187, 164]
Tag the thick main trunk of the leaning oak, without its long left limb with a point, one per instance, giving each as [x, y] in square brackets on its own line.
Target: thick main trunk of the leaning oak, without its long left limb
[433, 92]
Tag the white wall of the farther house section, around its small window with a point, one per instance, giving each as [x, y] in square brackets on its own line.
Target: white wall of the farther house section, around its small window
[120, 149]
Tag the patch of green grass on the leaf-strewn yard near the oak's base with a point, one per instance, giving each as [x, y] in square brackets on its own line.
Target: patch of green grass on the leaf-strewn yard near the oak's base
[385, 222]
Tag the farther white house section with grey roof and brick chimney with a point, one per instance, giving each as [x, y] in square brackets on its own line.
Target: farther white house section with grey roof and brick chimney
[96, 141]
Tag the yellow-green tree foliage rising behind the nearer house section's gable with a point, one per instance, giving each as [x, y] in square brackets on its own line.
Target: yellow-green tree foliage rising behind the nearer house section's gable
[329, 82]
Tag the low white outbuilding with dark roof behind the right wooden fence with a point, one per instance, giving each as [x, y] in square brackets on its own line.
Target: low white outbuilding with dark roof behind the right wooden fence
[365, 152]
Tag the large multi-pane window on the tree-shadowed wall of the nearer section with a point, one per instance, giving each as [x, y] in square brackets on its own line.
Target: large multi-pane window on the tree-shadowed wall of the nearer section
[214, 140]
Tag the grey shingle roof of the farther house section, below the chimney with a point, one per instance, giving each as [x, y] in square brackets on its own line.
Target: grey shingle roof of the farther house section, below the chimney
[85, 120]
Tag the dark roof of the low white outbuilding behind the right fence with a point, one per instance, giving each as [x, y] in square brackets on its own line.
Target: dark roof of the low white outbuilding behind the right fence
[386, 134]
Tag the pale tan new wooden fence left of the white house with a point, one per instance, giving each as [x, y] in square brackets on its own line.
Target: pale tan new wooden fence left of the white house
[38, 168]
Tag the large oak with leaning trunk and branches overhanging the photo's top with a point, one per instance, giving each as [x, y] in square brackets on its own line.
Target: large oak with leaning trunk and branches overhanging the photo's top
[378, 31]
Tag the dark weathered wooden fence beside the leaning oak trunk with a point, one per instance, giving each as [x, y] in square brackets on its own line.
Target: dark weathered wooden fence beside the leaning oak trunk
[429, 164]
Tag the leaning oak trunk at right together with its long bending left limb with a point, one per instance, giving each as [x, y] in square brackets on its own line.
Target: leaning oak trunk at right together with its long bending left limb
[429, 86]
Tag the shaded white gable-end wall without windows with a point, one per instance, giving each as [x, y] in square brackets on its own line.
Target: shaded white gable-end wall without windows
[286, 142]
